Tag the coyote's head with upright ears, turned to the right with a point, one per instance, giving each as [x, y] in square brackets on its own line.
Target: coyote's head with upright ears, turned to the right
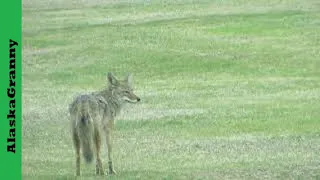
[122, 89]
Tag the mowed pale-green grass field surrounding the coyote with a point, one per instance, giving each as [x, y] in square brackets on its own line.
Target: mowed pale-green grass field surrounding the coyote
[229, 89]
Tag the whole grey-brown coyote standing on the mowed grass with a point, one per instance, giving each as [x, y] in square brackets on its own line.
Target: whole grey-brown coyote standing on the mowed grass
[92, 114]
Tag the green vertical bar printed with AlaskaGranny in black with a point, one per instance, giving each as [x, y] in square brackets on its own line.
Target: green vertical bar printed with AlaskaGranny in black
[10, 84]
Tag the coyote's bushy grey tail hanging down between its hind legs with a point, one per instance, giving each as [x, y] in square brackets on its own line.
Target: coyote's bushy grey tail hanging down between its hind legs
[86, 130]
